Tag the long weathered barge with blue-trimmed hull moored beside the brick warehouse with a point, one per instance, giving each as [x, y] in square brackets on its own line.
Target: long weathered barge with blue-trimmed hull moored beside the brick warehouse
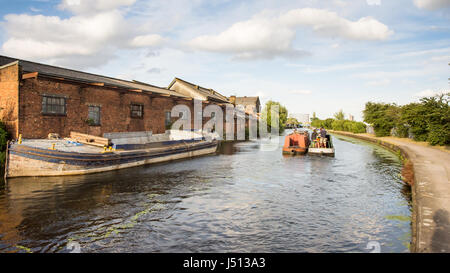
[64, 157]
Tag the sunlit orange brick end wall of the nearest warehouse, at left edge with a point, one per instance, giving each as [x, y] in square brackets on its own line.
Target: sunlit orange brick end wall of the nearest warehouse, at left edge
[9, 92]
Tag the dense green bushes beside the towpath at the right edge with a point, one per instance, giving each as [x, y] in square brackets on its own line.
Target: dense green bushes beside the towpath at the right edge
[428, 120]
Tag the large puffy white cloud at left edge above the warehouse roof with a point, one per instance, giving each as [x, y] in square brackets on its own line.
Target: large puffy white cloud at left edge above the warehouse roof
[50, 36]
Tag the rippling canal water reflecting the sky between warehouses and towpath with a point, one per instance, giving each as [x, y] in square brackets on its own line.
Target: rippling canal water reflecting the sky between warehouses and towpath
[244, 199]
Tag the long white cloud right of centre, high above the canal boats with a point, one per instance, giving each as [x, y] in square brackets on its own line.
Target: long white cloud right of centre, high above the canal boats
[266, 36]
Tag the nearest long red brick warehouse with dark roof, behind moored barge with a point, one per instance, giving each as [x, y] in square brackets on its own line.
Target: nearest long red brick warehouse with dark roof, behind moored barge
[38, 99]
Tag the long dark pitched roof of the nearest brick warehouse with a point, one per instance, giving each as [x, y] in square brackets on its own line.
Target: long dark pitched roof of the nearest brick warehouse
[69, 74]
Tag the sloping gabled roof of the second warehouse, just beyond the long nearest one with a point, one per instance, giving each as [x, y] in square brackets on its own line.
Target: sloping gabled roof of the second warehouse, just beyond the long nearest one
[197, 92]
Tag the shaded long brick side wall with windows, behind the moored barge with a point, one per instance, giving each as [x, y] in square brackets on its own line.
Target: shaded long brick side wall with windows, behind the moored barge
[115, 109]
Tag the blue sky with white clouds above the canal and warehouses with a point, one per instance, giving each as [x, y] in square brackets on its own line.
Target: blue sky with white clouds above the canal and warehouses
[310, 55]
